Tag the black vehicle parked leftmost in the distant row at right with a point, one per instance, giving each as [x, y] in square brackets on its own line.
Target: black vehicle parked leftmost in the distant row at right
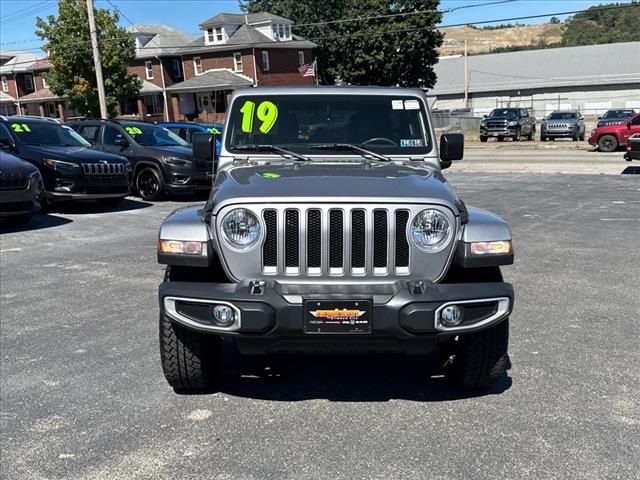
[514, 123]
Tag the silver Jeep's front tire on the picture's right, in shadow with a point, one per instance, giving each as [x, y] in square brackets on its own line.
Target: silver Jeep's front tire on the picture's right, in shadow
[479, 359]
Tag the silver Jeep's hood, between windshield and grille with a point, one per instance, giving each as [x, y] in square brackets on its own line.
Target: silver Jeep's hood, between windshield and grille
[333, 182]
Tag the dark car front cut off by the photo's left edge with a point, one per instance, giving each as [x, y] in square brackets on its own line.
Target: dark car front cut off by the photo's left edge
[21, 189]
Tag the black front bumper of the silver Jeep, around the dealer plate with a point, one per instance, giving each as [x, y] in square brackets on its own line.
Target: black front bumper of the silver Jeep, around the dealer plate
[403, 315]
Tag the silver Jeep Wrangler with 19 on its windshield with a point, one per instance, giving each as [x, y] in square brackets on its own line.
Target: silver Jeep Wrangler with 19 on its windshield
[330, 229]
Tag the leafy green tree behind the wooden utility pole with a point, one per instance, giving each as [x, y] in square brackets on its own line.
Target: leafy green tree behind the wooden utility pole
[69, 47]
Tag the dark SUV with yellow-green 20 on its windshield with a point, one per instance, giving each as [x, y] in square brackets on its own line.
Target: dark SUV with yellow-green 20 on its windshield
[162, 162]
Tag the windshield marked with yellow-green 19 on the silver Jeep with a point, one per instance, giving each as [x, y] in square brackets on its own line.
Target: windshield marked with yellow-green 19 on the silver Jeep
[390, 125]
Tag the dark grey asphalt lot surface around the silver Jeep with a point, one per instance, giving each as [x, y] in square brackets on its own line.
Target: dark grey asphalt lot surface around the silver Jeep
[83, 397]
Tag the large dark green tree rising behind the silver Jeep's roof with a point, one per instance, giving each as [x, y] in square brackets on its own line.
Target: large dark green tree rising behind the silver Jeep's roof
[395, 49]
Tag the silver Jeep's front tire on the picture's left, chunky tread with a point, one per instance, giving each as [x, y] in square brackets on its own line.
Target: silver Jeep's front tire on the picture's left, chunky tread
[190, 360]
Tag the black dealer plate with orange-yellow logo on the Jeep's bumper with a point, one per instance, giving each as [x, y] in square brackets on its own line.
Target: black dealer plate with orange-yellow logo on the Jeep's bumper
[350, 317]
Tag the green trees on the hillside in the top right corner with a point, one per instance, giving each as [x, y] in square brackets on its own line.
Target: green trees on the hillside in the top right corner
[603, 26]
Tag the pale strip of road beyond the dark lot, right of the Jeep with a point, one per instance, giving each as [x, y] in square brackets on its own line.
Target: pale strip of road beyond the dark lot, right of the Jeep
[559, 157]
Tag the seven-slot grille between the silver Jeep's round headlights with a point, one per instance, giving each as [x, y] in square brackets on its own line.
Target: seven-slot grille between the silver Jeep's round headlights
[339, 241]
